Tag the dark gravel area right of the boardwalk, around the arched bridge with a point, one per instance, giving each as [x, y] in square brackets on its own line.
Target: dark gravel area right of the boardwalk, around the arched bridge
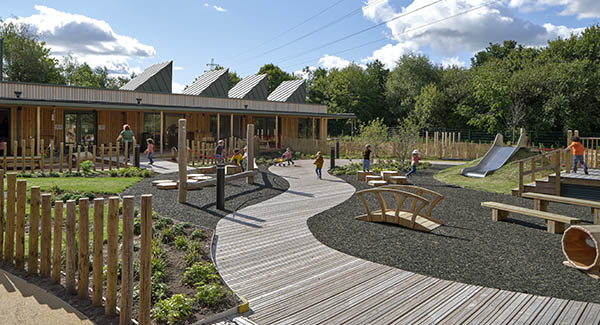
[516, 254]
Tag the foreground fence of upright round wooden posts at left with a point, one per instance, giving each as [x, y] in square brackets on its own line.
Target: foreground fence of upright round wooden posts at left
[77, 244]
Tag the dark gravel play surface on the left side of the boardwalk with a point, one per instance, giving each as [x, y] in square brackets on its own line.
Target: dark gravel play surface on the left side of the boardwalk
[201, 207]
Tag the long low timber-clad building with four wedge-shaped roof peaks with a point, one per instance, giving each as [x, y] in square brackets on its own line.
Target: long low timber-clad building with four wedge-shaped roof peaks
[92, 116]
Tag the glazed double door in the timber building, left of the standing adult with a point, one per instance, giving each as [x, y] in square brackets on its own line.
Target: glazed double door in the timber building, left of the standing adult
[80, 128]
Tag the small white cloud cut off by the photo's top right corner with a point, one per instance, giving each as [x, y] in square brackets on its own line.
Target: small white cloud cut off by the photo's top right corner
[581, 8]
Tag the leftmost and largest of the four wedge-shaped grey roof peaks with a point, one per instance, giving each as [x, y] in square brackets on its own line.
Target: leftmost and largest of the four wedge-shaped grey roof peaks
[156, 78]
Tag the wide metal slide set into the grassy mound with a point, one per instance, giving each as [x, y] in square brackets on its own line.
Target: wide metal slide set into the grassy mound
[496, 157]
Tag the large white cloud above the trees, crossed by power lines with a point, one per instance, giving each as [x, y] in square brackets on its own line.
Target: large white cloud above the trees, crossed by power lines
[472, 31]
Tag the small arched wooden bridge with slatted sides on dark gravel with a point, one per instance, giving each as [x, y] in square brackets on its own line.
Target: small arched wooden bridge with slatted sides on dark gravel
[413, 206]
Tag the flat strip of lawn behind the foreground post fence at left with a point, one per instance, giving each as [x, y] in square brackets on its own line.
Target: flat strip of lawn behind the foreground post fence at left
[101, 185]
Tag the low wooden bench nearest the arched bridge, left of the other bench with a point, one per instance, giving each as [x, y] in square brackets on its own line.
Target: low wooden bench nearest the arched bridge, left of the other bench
[555, 222]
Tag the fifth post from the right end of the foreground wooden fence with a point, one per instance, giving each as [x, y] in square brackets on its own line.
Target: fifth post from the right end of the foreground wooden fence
[83, 265]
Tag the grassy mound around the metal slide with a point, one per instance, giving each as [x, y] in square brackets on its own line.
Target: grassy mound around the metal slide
[501, 181]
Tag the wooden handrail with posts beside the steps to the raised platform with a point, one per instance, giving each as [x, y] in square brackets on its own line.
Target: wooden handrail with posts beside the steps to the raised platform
[540, 164]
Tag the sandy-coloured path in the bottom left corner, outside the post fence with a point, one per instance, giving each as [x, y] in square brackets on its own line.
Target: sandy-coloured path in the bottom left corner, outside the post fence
[24, 303]
